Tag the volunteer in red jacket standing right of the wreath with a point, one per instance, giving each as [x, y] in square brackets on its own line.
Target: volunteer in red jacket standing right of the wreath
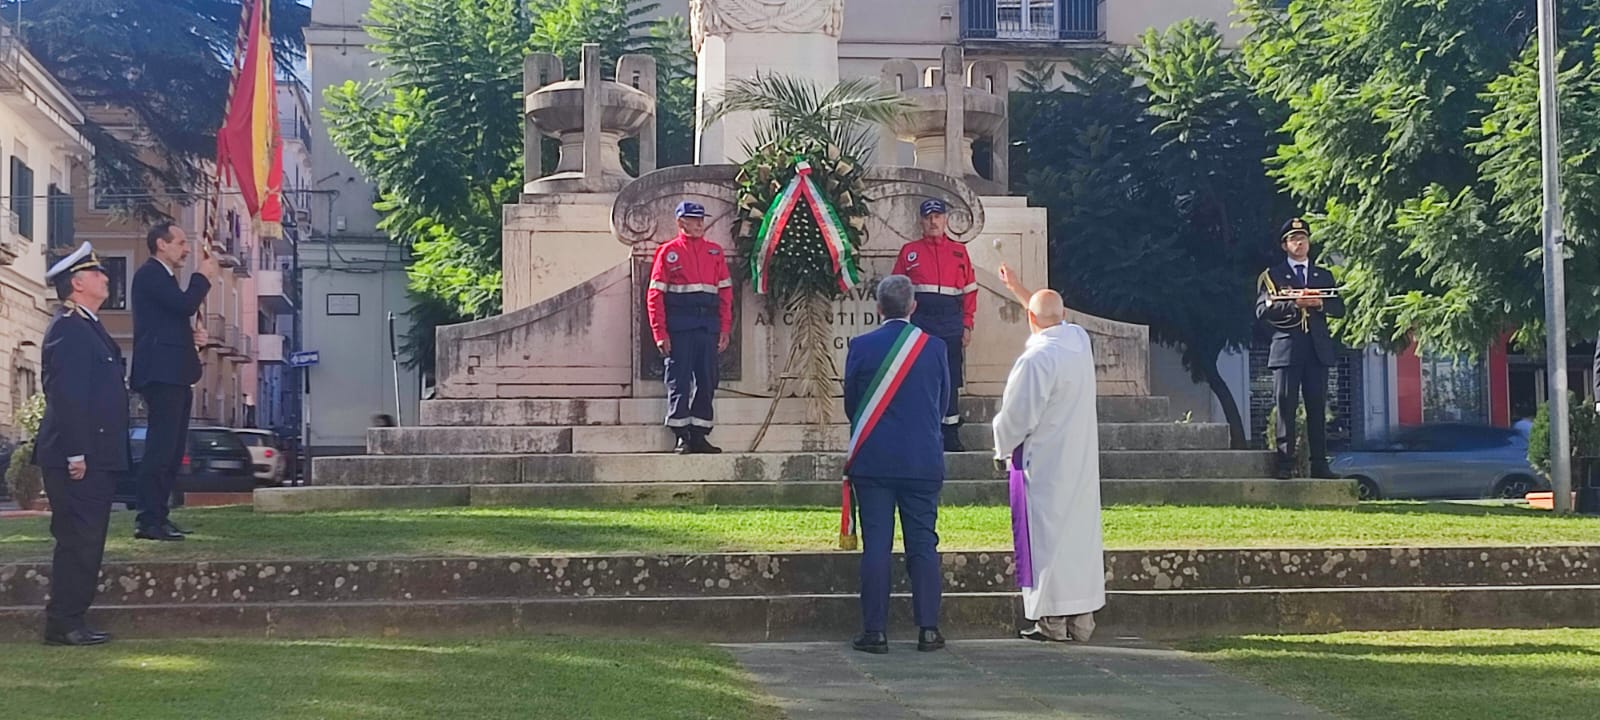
[946, 287]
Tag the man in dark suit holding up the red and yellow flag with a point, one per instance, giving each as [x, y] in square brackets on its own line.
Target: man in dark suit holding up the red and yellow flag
[166, 367]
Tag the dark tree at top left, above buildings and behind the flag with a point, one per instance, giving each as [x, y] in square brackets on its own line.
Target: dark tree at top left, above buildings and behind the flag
[164, 63]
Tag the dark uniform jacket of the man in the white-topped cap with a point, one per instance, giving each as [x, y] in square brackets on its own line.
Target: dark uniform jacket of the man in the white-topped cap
[86, 396]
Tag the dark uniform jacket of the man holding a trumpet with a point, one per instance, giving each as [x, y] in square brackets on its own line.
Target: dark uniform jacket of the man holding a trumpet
[1298, 337]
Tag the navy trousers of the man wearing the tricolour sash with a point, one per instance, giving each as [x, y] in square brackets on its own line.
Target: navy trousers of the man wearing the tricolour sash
[919, 514]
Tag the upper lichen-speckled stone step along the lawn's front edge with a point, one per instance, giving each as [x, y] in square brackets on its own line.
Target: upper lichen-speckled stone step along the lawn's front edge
[793, 574]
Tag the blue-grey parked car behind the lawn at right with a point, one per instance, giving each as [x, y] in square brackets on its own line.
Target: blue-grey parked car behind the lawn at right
[1442, 462]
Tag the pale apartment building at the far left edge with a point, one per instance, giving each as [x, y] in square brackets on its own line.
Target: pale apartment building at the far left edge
[42, 153]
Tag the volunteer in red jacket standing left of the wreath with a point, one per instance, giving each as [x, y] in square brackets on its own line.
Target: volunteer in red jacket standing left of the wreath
[690, 303]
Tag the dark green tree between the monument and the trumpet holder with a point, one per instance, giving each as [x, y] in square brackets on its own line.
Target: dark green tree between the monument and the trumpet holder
[1161, 209]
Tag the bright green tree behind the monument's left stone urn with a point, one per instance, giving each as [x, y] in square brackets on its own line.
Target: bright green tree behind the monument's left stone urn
[441, 135]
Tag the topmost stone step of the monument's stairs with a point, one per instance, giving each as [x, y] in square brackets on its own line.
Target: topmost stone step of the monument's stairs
[730, 412]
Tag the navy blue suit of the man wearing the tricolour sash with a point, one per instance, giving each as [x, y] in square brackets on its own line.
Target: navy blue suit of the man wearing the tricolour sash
[902, 465]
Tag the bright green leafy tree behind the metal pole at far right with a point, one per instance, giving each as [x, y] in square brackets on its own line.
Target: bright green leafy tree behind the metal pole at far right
[1414, 146]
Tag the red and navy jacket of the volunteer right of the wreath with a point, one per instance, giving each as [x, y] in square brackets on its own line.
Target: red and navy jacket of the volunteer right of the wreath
[946, 287]
